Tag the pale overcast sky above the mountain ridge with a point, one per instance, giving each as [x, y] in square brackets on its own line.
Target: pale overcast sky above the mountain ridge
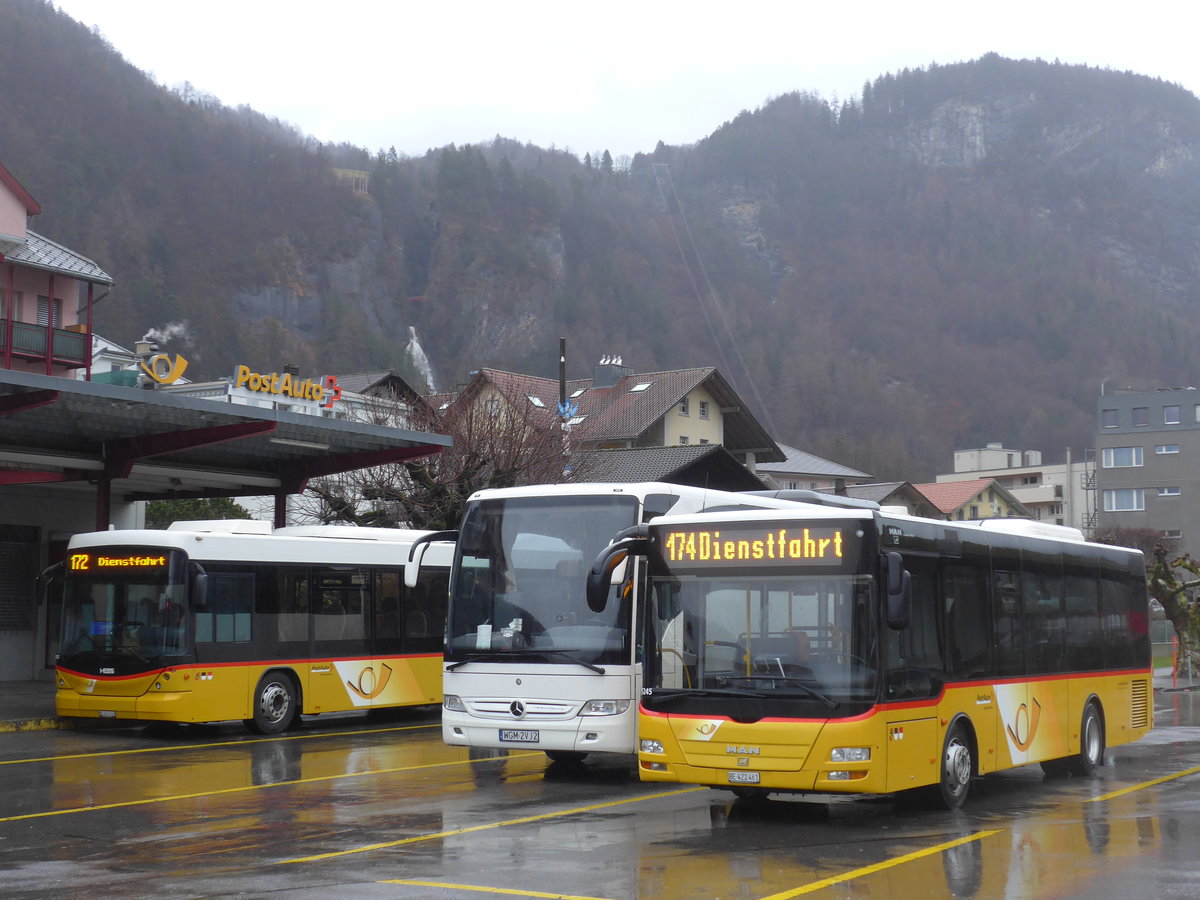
[590, 77]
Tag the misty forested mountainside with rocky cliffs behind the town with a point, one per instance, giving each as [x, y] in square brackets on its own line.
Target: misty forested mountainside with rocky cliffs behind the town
[961, 255]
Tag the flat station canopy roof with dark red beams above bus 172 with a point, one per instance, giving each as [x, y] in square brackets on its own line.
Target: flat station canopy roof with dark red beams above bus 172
[148, 445]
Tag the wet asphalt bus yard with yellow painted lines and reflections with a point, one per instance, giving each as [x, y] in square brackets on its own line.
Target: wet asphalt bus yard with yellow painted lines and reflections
[365, 808]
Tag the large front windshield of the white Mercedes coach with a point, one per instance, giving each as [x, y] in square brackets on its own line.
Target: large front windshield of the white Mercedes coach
[520, 584]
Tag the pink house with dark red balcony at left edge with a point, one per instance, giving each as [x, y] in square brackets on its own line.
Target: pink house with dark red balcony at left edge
[47, 292]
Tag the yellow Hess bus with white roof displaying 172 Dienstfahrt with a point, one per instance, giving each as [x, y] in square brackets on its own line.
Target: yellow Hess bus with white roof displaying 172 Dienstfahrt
[233, 620]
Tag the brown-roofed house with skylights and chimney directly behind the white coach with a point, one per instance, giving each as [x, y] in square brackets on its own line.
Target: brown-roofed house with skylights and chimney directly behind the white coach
[620, 409]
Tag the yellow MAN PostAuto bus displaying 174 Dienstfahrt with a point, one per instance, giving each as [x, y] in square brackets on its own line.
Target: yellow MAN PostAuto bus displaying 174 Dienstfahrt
[845, 649]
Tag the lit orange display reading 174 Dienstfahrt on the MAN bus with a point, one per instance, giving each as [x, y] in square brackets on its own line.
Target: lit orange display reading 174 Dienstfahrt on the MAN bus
[766, 545]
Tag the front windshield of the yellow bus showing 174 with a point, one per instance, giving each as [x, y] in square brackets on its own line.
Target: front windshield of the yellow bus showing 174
[778, 637]
